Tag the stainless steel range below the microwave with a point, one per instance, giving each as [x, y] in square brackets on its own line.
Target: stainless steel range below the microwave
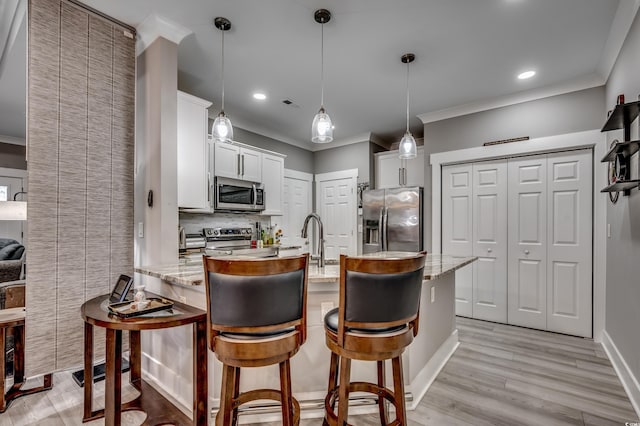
[234, 241]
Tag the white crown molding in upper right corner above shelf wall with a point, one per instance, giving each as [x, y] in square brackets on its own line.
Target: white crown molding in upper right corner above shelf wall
[622, 21]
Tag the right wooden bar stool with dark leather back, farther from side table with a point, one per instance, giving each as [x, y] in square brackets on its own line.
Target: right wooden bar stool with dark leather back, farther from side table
[376, 320]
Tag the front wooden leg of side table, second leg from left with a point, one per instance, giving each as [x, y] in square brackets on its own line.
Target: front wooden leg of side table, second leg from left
[113, 378]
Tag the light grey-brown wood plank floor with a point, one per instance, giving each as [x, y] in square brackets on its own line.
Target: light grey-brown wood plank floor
[500, 375]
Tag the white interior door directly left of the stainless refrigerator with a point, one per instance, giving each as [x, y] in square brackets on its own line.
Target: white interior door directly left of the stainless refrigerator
[336, 203]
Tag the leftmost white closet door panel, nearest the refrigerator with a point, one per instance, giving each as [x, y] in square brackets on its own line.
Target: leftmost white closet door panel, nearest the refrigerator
[457, 229]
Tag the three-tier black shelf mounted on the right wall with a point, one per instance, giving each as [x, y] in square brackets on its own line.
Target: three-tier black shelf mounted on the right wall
[619, 155]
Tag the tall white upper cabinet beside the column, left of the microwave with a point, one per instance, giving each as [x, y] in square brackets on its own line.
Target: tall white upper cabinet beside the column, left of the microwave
[194, 165]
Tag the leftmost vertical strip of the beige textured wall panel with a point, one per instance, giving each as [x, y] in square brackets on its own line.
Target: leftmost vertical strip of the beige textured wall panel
[42, 212]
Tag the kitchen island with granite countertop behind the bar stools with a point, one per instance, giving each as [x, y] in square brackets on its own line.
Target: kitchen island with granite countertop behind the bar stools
[435, 343]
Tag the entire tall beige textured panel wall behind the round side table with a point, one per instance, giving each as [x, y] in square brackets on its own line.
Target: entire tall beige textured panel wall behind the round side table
[80, 136]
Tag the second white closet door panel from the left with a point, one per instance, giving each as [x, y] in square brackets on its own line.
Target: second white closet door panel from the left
[490, 240]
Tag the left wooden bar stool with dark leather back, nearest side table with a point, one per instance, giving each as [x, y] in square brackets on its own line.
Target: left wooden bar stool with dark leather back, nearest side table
[257, 316]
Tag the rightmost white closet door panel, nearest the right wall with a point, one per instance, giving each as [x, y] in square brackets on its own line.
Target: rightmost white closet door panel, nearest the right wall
[569, 276]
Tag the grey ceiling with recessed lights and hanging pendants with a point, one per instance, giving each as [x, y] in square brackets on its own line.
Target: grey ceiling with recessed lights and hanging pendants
[468, 53]
